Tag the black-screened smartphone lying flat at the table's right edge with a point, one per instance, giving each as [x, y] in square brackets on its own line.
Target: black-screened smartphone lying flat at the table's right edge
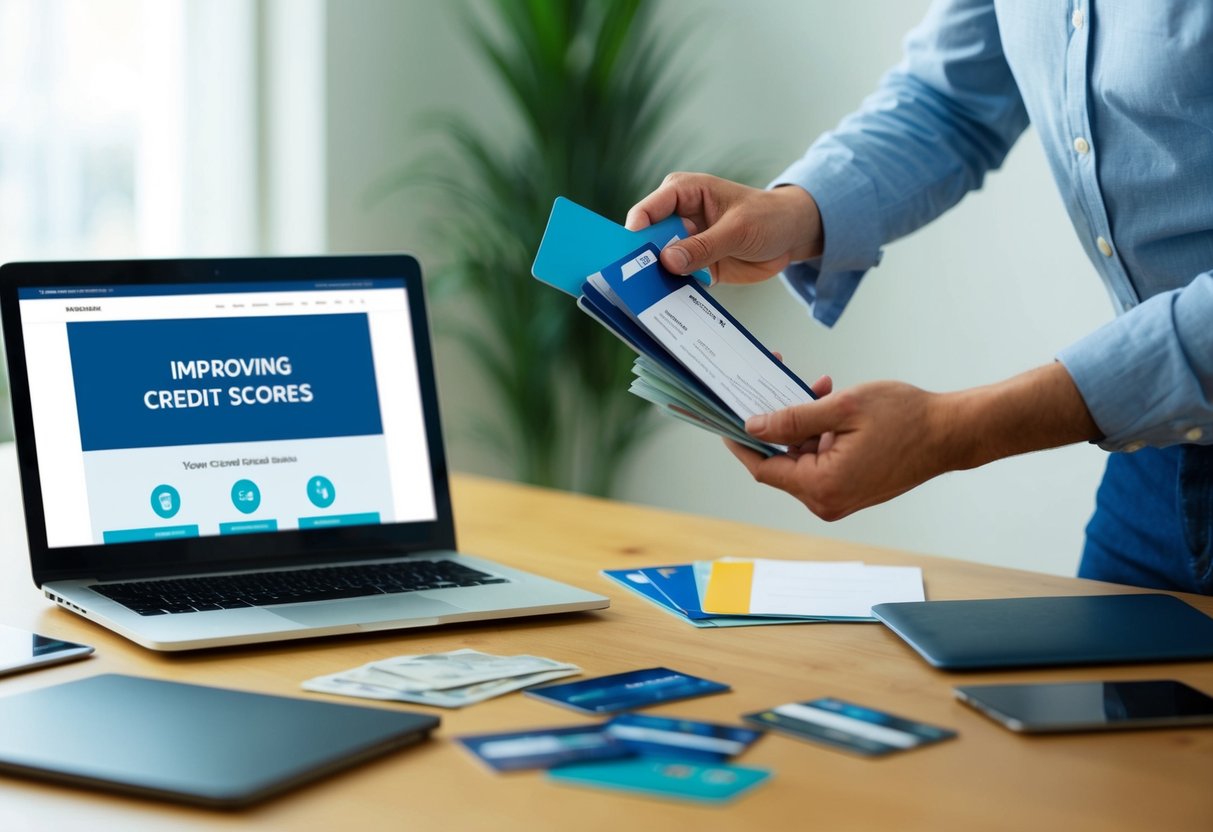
[1091, 706]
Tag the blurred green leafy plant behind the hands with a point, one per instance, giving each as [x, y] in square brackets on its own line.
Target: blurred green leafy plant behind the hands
[591, 83]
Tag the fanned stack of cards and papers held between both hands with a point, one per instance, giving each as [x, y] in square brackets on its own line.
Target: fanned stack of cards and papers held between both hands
[697, 362]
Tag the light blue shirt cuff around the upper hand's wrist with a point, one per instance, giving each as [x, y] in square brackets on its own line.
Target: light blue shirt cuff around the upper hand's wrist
[851, 221]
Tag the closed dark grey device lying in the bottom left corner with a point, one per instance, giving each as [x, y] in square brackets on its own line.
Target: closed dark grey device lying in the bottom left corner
[207, 746]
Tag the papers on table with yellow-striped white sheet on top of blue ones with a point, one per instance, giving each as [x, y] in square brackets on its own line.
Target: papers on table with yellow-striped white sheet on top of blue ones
[737, 592]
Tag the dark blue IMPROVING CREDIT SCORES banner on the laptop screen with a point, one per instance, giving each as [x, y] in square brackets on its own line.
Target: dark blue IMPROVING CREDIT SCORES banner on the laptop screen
[153, 384]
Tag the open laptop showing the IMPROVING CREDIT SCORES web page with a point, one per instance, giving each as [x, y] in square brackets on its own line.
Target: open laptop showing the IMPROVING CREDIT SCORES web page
[230, 452]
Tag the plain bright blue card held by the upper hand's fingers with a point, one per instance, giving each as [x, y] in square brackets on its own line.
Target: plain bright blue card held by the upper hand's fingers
[578, 243]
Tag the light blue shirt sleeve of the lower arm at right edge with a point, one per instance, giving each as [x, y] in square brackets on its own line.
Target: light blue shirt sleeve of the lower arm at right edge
[1148, 377]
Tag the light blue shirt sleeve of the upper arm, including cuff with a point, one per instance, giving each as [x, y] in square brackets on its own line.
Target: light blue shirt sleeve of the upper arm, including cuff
[936, 126]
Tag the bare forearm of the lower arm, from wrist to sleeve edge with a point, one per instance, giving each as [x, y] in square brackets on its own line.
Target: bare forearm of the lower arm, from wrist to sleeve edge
[1032, 412]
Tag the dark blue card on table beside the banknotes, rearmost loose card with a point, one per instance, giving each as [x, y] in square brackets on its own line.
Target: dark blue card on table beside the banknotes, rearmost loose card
[624, 692]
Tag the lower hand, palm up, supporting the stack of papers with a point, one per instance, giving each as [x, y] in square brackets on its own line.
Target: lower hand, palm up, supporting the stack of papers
[852, 449]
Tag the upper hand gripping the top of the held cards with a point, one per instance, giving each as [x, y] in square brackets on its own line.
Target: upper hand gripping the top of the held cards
[743, 235]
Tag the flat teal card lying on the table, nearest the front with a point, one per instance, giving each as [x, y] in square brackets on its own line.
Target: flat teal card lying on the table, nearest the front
[679, 780]
